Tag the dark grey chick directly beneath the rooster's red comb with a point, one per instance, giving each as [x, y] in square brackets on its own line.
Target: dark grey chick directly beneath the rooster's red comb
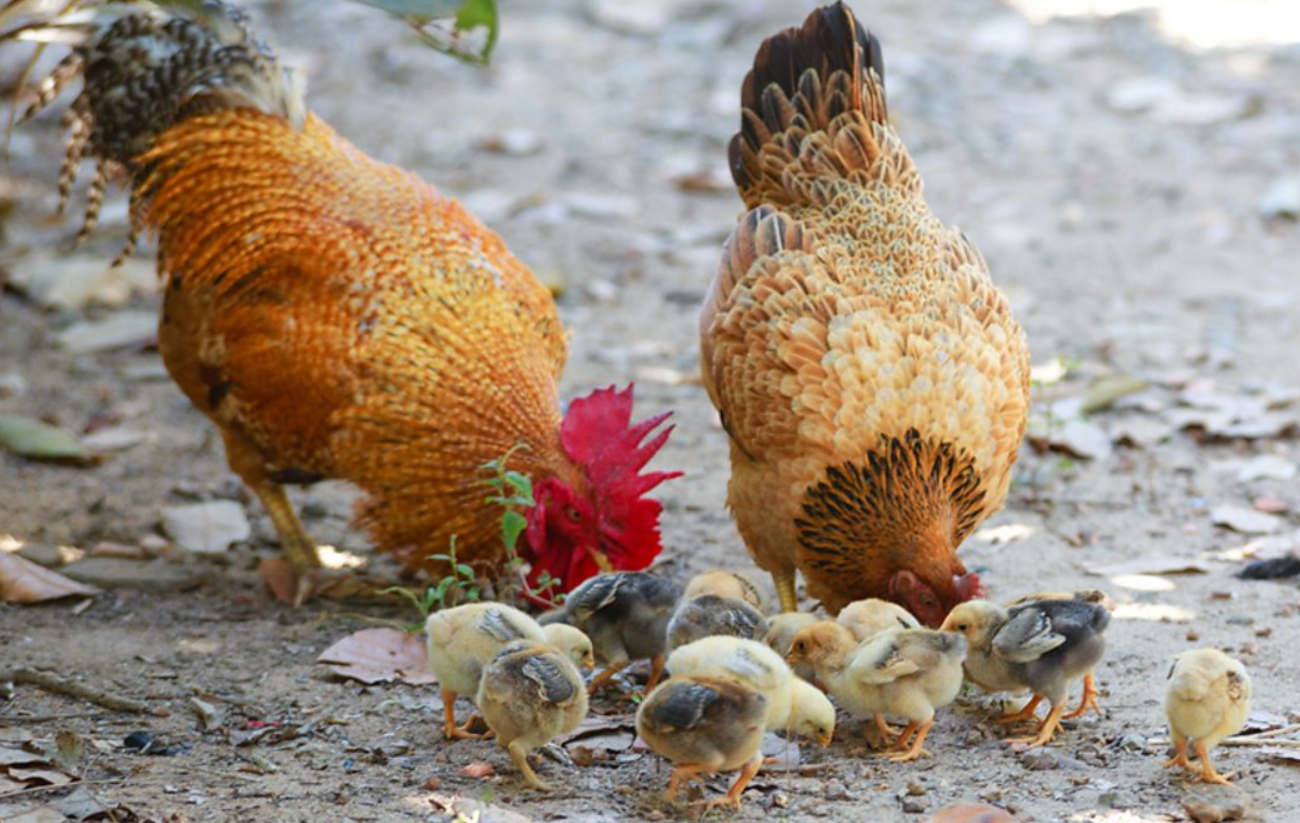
[626, 614]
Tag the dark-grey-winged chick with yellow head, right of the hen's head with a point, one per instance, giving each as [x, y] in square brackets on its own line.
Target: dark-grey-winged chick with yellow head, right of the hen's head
[1041, 647]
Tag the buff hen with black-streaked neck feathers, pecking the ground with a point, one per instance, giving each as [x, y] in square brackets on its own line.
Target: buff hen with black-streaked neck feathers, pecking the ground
[868, 371]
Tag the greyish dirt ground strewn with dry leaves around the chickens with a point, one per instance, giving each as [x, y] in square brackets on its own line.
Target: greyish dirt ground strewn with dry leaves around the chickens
[1125, 175]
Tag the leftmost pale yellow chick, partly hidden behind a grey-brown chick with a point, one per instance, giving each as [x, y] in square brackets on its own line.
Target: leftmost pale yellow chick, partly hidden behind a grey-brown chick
[462, 642]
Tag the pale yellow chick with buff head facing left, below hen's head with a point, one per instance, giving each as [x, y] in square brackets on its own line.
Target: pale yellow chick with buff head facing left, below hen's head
[905, 673]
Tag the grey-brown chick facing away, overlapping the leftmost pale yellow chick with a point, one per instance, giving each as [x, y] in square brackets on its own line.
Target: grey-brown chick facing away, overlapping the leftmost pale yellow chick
[528, 696]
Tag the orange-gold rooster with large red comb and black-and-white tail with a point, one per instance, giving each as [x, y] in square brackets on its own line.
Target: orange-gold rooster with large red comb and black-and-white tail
[340, 318]
